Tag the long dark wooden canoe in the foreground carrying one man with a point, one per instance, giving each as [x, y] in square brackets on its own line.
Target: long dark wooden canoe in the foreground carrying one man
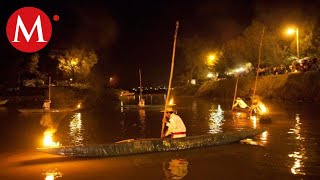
[129, 147]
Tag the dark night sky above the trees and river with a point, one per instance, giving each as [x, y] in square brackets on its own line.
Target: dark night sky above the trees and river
[128, 35]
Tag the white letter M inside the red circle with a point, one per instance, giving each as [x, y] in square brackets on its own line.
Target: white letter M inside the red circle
[27, 35]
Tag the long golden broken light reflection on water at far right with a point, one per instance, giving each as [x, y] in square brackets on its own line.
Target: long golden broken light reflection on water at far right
[299, 155]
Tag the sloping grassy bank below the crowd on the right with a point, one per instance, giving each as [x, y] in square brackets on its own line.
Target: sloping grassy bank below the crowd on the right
[292, 87]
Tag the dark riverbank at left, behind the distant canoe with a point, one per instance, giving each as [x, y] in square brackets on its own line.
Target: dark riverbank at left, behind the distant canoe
[61, 97]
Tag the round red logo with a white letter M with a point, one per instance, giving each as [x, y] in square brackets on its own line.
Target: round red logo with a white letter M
[29, 29]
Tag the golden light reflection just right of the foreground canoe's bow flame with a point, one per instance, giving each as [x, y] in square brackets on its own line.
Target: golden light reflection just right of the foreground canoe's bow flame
[76, 130]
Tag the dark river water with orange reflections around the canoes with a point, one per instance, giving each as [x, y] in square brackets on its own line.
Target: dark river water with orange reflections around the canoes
[290, 149]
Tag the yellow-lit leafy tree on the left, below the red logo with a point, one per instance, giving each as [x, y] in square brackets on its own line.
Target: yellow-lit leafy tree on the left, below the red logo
[75, 63]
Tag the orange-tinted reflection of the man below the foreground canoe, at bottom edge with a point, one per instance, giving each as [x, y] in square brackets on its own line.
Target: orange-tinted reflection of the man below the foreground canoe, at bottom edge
[175, 168]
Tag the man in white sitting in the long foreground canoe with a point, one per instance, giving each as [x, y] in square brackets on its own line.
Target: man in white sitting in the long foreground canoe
[176, 127]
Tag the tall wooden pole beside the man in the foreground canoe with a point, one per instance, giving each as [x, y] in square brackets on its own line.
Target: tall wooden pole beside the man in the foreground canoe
[171, 73]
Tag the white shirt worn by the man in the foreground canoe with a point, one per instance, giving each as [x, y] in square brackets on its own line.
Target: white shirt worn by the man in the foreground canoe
[176, 125]
